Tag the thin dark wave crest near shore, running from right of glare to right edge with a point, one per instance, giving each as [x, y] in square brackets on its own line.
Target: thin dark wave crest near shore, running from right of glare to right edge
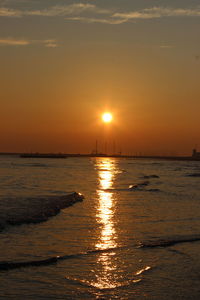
[169, 241]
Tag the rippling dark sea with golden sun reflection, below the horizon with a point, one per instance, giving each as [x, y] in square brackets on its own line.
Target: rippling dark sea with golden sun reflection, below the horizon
[136, 234]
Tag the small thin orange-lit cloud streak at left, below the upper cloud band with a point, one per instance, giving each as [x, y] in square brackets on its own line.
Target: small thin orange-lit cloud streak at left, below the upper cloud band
[24, 42]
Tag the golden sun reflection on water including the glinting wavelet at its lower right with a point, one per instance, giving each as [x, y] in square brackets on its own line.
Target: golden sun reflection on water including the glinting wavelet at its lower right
[108, 274]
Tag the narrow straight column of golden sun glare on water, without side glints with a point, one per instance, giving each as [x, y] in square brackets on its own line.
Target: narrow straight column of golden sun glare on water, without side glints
[105, 216]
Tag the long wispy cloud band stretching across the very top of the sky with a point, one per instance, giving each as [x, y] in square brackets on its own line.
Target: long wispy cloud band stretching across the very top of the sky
[90, 13]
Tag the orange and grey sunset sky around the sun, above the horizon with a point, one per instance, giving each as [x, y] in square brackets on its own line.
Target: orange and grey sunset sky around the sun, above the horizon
[64, 62]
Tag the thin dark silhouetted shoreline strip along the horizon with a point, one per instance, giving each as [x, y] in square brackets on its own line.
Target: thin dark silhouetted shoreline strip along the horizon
[66, 155]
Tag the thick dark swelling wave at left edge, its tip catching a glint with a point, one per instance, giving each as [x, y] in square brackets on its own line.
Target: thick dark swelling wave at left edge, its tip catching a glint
[19, 211]
